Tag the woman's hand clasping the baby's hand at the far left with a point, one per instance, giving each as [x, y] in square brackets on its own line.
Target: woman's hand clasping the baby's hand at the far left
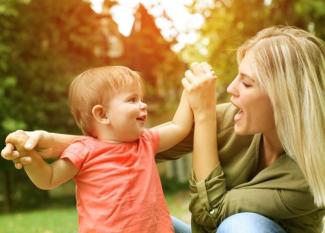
[18, 143]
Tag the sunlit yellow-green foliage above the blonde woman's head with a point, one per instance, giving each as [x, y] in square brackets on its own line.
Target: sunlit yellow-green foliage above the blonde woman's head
[229, 23]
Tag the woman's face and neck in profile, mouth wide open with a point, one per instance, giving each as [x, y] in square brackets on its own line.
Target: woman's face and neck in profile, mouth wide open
[255, 112]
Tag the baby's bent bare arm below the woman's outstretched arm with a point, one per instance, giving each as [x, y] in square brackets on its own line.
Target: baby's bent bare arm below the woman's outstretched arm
[48, 176]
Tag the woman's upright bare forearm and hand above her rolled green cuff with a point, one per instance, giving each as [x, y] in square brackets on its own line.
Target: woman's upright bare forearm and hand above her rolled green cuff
[200, 86]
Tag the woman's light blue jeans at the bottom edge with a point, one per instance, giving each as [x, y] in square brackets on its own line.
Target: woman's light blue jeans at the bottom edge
[238, 223]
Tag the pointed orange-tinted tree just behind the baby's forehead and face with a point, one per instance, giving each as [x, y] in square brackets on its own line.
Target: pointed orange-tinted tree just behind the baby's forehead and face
[149, 53]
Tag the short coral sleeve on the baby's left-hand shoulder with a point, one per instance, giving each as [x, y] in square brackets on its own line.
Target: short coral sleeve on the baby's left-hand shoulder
[76, 153]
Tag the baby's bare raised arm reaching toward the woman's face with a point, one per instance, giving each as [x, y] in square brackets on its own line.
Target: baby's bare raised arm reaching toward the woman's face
[173, 132]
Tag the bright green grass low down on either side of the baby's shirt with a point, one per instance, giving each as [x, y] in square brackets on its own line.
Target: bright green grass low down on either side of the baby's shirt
[58, 219]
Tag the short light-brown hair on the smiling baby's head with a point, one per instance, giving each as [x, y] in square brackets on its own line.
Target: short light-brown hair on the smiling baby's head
[98, 86]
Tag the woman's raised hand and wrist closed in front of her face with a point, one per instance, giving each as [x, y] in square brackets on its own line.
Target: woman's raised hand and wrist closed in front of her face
[199, 83]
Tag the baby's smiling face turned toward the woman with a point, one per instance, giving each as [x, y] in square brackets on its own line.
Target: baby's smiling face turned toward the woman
[127, 114]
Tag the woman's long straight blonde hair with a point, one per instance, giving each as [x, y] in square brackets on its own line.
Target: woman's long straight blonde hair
[290, 66]
